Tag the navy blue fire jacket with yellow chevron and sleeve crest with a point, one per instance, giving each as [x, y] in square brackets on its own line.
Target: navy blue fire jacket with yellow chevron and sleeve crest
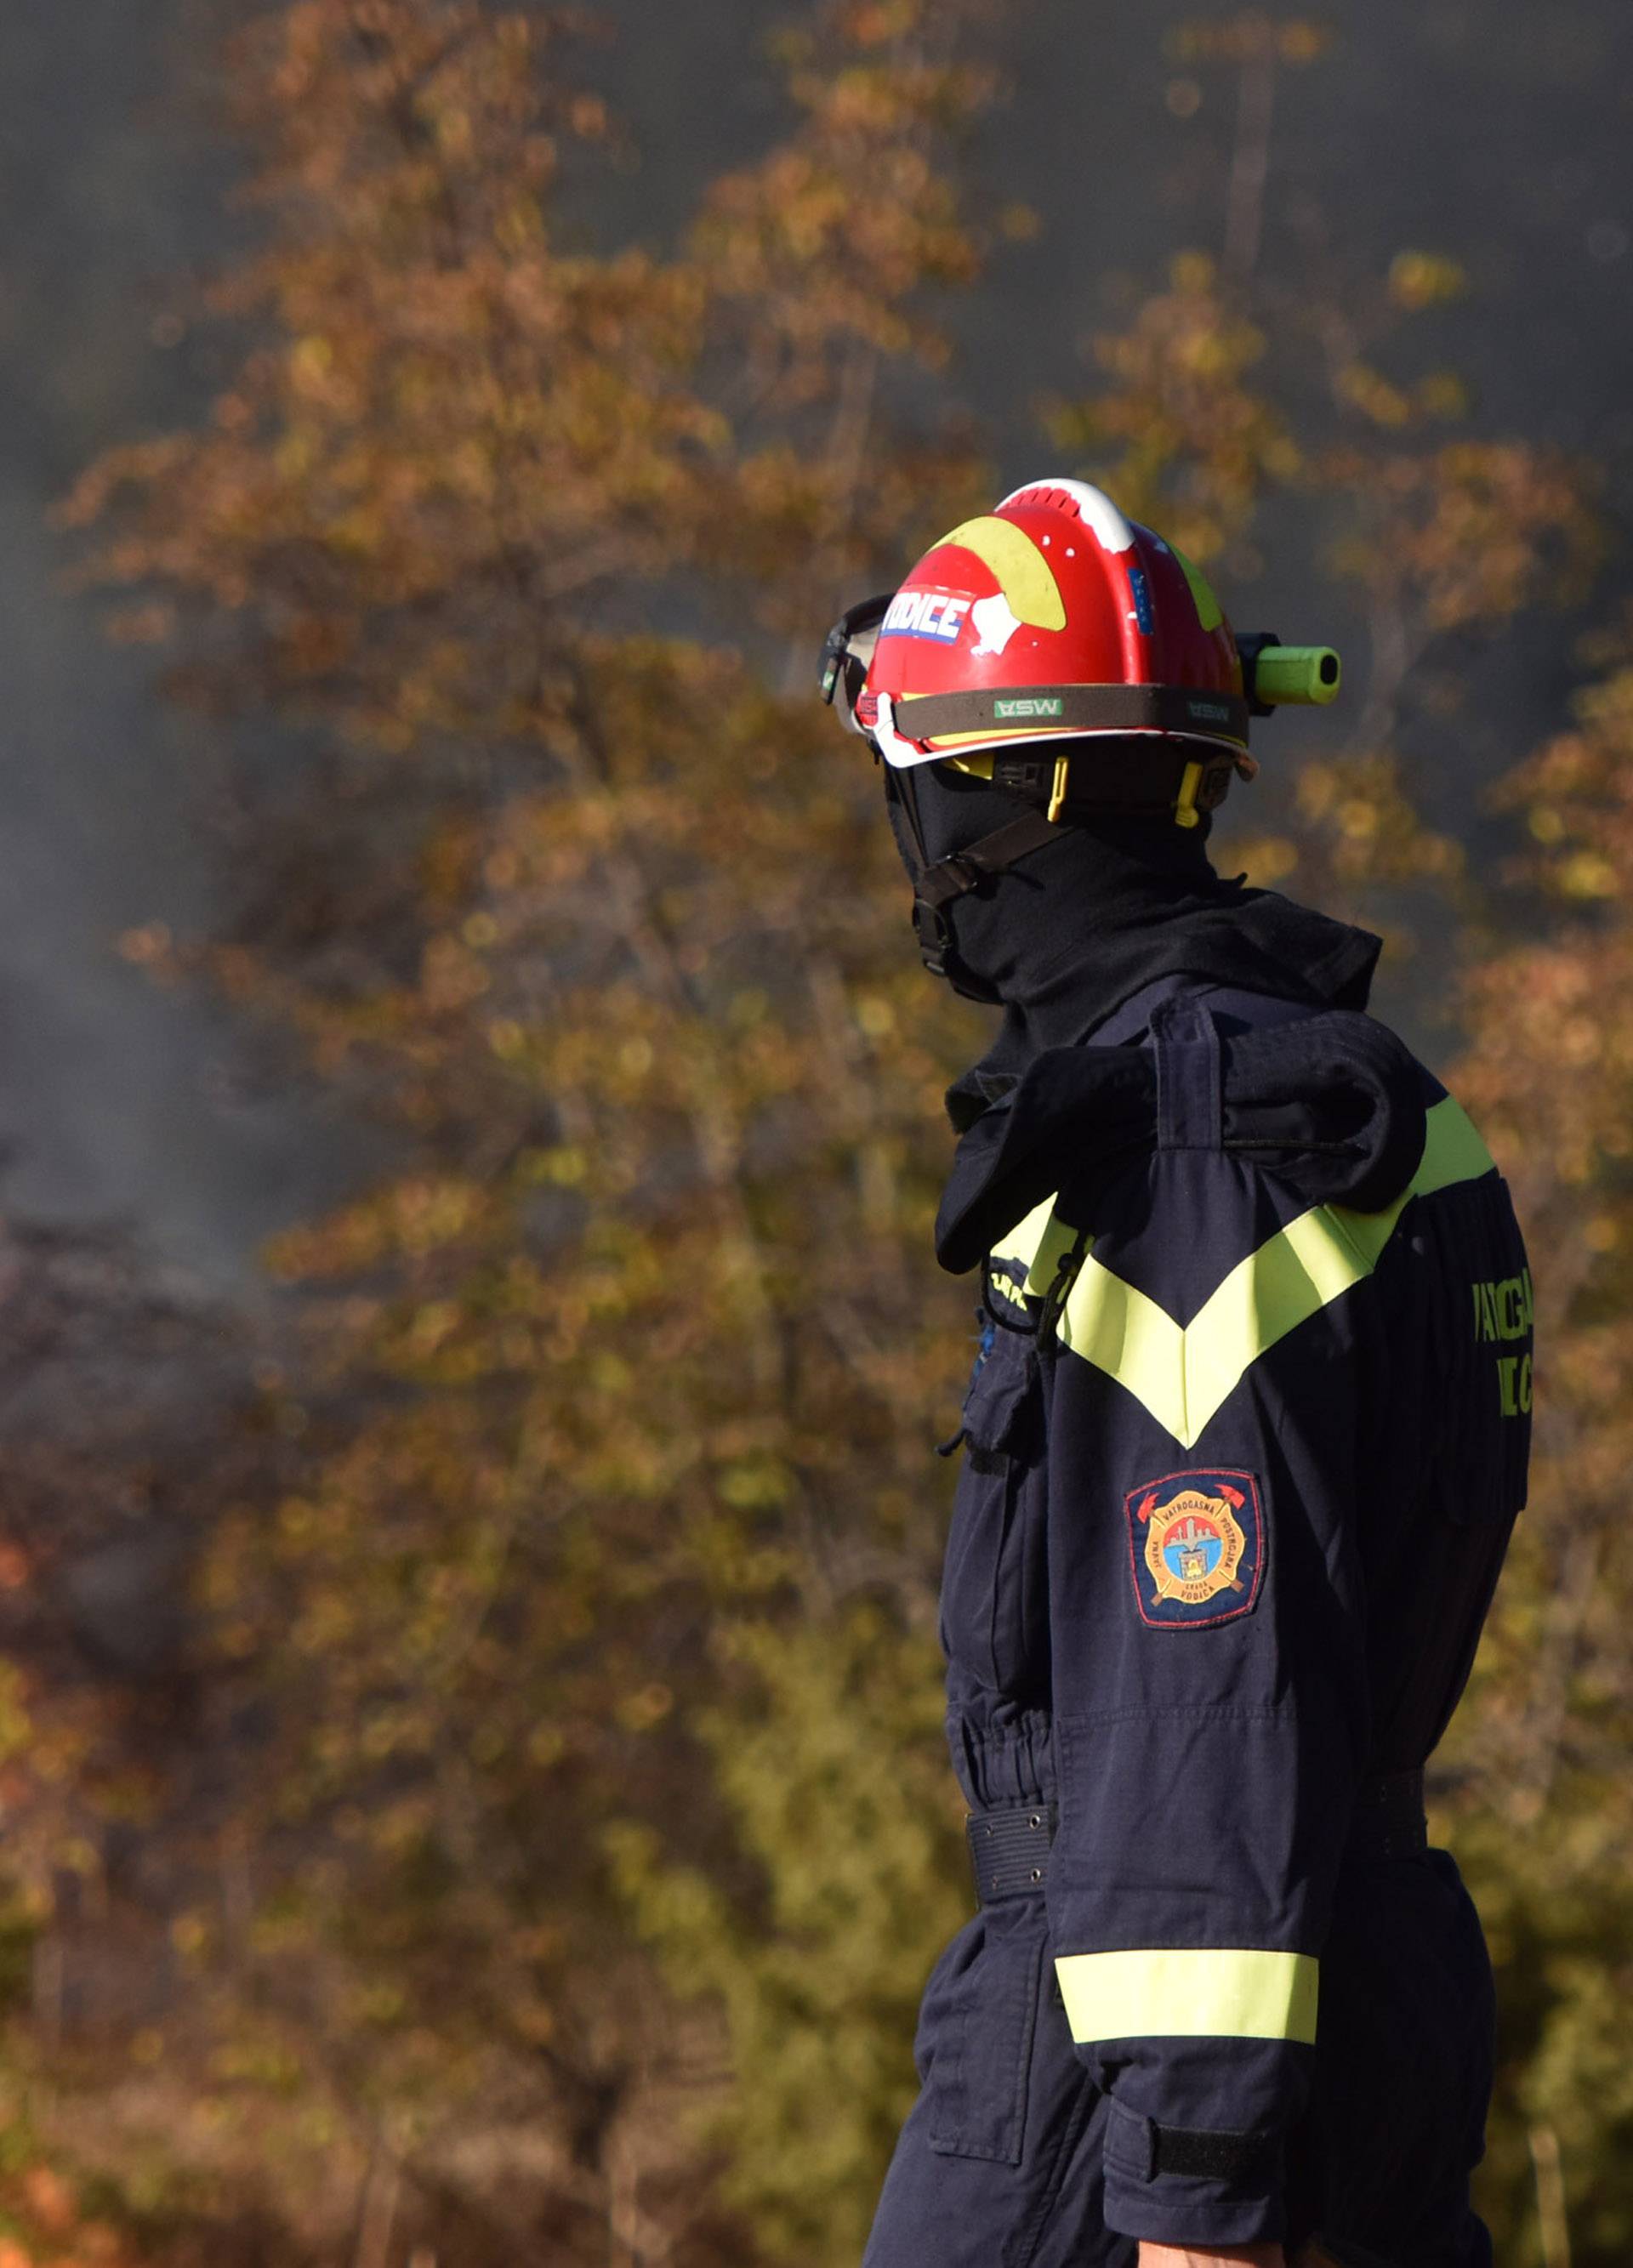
[1244, 1450]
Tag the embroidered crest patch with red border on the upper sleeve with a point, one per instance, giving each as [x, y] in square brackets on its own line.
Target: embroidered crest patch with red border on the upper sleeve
[1196, 1548]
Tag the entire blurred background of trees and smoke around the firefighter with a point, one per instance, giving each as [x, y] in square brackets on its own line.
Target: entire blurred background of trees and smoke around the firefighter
[471, 1117]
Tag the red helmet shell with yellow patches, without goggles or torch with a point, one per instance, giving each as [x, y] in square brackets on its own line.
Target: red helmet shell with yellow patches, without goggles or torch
[1056, 618]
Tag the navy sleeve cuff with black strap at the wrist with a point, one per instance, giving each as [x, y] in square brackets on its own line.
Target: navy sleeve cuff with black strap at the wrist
[1190, 2185]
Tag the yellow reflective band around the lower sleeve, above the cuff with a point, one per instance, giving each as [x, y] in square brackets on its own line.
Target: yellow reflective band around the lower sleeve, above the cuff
[1190, 1995]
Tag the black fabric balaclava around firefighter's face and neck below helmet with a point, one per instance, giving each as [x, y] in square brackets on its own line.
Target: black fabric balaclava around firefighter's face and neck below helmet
[1090, 920]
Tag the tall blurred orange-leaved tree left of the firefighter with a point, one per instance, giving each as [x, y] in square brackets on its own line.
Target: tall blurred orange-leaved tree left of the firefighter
[643, 1344]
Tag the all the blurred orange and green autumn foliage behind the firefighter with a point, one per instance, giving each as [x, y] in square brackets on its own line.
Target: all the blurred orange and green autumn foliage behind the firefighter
[550, 1834]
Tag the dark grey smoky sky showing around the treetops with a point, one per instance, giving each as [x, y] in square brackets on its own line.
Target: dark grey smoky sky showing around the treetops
[1494, 133]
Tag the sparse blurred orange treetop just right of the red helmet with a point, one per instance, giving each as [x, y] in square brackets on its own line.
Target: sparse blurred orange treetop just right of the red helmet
[1439, 541]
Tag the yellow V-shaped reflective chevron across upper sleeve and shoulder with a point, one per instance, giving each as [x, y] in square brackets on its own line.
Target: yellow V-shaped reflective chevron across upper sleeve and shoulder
[1185, 1376]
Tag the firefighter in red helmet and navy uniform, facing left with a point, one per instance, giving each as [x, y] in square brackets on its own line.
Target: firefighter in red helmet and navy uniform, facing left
[1239, 1459]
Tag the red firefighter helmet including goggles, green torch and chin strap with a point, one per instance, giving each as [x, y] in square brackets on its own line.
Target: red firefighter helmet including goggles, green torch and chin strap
[1072, 659]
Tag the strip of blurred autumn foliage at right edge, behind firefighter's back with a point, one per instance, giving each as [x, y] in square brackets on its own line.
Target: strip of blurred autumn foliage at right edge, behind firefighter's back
[1543, 1800]
